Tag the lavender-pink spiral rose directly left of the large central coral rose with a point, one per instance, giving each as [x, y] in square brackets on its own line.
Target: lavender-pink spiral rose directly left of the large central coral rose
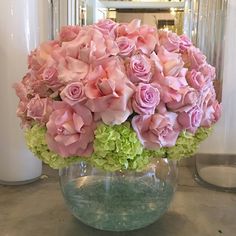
[73, 93]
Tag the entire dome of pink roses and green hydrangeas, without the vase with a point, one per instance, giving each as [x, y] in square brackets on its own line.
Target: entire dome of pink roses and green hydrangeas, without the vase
[116, 95]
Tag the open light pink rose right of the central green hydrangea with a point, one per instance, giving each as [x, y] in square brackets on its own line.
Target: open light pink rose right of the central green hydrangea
[156, 131]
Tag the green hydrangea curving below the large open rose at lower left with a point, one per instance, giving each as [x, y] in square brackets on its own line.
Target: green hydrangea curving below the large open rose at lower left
[36, 142]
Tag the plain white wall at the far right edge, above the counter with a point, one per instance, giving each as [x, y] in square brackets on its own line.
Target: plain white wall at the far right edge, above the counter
[223, 139]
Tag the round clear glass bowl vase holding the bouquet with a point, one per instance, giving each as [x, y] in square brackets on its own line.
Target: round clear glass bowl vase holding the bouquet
[122, 200]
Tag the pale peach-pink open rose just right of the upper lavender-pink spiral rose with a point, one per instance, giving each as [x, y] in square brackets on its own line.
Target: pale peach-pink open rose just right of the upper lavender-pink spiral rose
[172, 62]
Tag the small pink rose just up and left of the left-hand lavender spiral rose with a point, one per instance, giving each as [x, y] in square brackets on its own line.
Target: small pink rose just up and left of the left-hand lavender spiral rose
[50, 77]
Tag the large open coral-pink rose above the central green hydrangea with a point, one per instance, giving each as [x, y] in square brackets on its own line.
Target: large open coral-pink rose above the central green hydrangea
[109, 94]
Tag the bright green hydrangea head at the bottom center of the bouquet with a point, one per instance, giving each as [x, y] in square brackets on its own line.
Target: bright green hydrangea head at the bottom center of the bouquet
[117, 147]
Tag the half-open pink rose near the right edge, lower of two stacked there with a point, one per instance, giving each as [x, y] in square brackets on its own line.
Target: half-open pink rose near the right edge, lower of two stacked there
[195, 79]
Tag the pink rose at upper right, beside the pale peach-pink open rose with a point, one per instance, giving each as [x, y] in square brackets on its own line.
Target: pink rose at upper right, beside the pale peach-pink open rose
[193, 58]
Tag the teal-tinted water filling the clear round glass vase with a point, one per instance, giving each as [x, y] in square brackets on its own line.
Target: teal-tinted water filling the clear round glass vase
[116, 203]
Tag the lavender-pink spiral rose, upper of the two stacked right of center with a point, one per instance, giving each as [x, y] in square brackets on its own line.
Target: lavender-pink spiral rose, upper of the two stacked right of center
[140, 69]
